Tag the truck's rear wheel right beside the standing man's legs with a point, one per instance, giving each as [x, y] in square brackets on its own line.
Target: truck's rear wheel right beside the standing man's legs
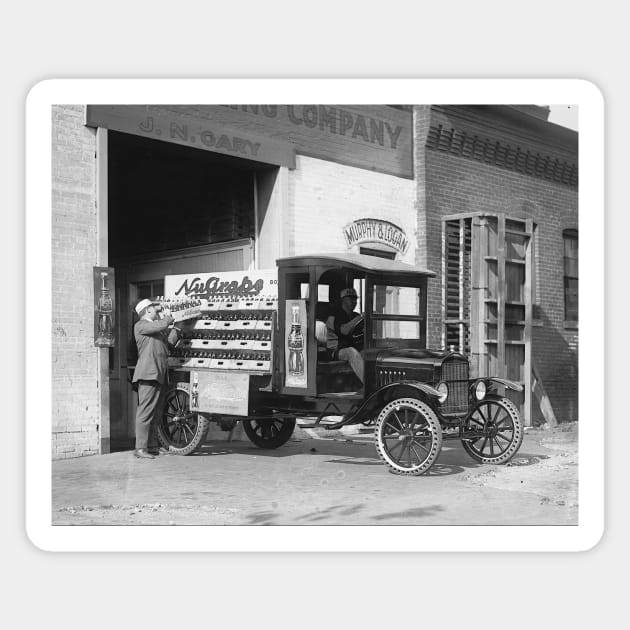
[181, 431]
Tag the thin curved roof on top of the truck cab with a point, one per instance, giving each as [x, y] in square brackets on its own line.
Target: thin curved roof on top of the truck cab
[357, 262]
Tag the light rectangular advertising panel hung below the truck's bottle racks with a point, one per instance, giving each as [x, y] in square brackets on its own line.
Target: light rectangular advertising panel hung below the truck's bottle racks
[219, 392]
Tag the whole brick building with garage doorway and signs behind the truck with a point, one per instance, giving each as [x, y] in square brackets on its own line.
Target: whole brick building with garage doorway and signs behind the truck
[484, 196]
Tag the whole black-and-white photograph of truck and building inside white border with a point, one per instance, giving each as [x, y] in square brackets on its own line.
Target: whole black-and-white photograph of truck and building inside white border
[293, 315]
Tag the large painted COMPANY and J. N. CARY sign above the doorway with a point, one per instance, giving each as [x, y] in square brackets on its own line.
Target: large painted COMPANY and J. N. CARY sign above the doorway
[376, 137]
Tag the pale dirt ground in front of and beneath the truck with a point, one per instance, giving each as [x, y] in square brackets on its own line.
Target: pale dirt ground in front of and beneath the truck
[321, 481]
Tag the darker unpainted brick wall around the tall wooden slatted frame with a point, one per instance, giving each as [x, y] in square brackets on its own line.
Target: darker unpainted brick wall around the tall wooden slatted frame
[456, 184]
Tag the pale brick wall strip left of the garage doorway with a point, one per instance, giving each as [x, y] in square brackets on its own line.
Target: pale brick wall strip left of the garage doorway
[75, 396]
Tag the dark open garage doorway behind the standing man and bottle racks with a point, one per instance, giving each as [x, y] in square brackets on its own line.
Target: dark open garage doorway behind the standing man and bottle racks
[171, 209]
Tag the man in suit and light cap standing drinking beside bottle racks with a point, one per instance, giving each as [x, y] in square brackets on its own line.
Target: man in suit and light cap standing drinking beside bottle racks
[153, 335]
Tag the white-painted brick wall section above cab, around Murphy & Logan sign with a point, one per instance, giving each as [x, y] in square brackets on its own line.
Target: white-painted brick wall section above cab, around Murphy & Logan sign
[325, 196]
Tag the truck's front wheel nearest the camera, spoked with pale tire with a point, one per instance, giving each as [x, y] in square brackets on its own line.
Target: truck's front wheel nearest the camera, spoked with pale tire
[408, 436]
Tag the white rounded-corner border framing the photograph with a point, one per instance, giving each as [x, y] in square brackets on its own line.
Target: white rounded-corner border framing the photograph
[301, 91]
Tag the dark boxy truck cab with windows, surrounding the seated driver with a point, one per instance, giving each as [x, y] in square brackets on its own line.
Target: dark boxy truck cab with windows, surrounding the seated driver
[391, 297]
